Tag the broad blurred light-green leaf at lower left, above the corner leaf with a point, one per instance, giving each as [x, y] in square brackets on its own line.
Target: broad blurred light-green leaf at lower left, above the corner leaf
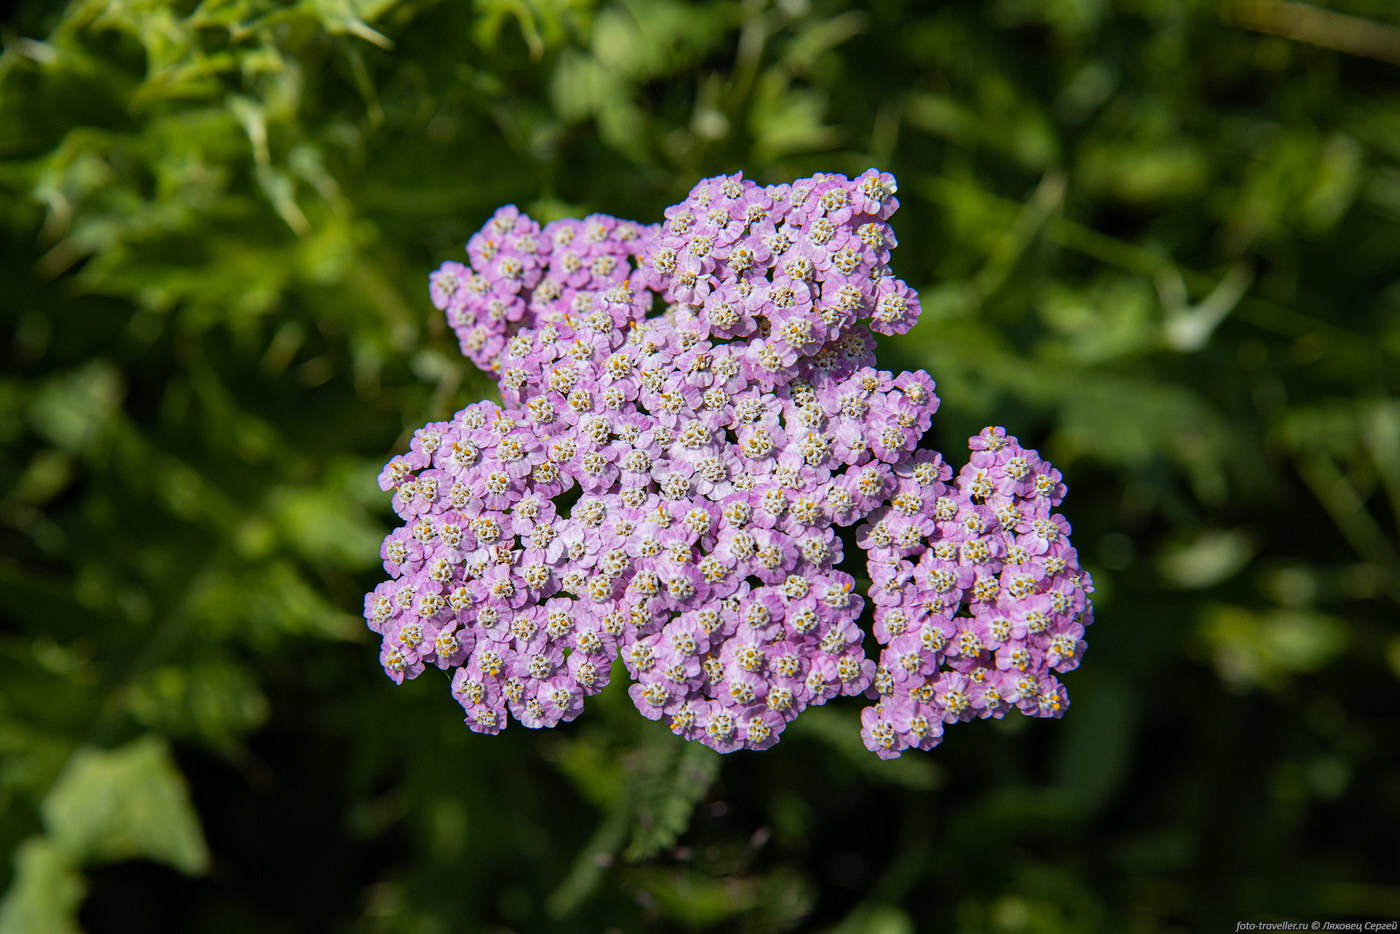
[128, 803]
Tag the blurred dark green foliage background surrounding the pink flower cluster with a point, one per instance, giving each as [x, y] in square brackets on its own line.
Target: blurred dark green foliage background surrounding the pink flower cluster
[1157, 239]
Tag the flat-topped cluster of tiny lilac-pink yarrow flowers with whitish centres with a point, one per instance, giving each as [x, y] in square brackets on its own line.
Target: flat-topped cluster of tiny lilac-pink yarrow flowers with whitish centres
[694, 432]
